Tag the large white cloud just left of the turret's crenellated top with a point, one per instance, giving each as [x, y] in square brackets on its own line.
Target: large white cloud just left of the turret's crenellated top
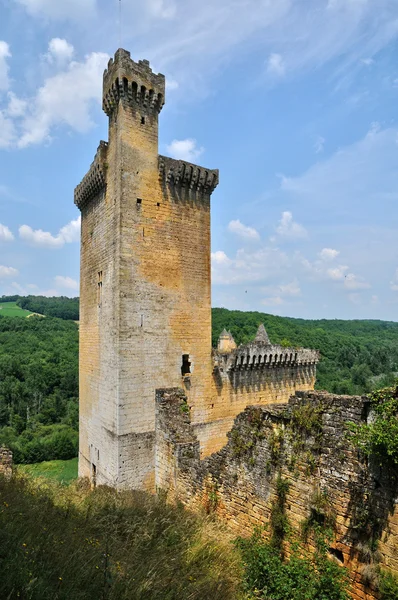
[66, 98]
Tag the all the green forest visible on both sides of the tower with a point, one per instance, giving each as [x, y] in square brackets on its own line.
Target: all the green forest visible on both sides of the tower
[39, 367]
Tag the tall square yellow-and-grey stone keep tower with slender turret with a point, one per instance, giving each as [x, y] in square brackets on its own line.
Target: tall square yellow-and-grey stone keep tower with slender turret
[145, 310]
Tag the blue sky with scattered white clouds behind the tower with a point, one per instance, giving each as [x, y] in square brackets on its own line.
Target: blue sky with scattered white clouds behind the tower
[294, 101]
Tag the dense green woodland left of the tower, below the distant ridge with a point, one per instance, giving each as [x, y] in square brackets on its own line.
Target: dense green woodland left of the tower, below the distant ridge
[39, 388]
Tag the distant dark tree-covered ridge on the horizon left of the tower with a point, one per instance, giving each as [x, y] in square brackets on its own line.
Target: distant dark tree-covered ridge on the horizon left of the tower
[61, 307]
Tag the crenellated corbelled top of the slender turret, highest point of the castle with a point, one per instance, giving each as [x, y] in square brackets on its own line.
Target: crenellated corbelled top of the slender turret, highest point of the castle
[135, 83]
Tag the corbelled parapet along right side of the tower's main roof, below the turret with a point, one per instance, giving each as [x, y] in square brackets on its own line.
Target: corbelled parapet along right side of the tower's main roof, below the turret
[181, 174]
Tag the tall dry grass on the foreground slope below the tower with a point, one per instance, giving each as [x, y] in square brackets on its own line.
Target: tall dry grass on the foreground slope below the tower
[70, 542]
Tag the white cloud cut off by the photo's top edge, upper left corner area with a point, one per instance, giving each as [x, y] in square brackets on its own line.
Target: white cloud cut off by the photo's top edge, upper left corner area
[60, 9]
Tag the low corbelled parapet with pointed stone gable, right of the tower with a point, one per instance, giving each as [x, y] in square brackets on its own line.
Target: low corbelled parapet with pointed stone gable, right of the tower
[261, 354]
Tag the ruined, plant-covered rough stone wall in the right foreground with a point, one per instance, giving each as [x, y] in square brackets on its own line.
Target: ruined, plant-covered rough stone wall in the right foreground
[306, 443]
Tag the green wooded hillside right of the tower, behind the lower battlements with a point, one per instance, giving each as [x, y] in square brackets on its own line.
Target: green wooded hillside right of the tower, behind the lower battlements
[356, 356]
